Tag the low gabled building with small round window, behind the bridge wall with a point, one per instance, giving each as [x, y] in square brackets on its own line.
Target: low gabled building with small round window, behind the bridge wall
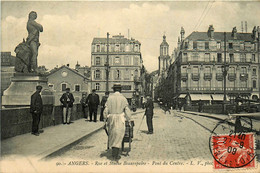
[64, 77]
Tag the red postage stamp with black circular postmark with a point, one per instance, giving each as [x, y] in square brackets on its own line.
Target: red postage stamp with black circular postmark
[233, 150]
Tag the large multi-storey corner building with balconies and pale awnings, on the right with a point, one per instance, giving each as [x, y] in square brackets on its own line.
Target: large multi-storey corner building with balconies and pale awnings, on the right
[199, 59]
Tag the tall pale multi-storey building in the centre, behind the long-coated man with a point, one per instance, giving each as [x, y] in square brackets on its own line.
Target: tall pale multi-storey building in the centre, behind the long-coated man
[125, 65]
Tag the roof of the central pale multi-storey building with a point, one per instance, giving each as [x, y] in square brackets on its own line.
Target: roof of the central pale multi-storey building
[114, 40]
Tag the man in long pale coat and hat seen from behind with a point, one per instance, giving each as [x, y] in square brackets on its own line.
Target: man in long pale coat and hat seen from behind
[116, 112]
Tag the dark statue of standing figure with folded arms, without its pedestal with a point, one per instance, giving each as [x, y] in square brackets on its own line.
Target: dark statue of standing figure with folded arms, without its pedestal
[27, 51]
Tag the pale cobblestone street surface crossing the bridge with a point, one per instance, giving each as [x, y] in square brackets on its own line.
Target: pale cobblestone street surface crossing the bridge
[175, 137]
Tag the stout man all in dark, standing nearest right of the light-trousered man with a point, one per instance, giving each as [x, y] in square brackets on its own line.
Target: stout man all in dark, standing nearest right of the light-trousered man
[93, 102]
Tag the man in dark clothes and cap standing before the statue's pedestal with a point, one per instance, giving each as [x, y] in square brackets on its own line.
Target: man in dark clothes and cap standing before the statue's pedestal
[36, 110]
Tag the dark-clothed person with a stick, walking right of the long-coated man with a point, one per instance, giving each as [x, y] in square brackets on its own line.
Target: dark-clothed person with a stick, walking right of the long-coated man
[149, 114]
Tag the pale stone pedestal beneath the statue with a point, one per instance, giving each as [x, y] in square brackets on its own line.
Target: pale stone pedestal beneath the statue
[18, 94]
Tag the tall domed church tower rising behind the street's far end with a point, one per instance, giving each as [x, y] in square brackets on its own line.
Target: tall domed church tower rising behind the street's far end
[164, 58]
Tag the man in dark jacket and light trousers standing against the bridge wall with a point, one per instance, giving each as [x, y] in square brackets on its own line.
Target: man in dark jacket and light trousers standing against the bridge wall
[67, 100]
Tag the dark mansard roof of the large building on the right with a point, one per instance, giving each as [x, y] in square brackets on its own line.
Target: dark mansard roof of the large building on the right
[219, 36]
